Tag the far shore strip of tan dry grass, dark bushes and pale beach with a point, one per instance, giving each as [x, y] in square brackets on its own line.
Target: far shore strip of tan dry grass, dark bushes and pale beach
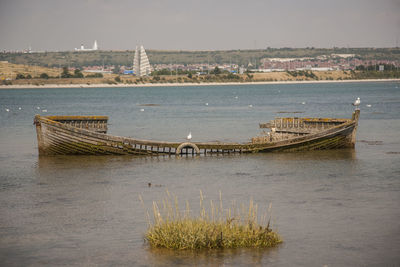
[26, 76]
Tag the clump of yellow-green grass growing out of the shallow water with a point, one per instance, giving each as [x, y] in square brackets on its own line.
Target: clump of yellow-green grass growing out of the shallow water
[215, 228]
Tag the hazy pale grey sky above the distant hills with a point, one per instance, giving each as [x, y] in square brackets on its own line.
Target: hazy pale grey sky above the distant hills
[198, 25]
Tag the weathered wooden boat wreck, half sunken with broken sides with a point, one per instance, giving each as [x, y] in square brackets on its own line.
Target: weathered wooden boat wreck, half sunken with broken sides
[87, 135]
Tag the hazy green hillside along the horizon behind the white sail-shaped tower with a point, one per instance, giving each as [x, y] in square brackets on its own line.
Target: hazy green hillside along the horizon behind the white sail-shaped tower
[241, 57]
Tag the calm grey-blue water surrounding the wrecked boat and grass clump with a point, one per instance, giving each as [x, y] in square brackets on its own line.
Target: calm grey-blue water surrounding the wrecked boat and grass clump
[335, 208]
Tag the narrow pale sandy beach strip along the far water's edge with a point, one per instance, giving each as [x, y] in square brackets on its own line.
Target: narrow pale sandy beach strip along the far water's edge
[31, 86]
